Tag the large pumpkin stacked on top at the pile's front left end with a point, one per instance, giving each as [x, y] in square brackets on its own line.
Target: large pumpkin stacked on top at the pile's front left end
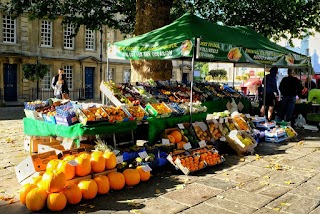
[53, 181]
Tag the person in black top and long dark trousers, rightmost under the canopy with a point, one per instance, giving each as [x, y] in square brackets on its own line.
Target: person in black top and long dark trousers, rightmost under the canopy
[290, 87]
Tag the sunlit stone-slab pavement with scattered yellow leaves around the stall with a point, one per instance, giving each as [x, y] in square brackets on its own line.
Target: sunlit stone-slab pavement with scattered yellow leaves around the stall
[279, 178]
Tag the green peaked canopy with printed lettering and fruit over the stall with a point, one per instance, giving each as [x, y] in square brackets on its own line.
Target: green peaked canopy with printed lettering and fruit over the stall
[216, 43]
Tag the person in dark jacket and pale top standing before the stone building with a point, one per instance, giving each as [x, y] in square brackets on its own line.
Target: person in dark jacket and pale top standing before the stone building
[60, 85]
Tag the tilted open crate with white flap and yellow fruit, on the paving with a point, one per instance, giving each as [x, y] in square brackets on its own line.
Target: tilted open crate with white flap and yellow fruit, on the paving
[238, 145]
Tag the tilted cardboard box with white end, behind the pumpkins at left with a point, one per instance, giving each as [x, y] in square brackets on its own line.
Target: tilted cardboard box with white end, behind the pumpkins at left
[33, 163]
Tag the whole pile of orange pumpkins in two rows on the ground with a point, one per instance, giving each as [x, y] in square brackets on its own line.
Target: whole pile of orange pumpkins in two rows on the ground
[55, 187]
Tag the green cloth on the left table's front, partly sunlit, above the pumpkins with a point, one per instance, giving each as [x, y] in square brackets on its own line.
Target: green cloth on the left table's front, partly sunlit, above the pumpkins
[39, 128]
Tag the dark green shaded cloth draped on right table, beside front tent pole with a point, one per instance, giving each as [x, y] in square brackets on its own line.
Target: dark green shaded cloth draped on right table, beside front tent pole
[158, 125]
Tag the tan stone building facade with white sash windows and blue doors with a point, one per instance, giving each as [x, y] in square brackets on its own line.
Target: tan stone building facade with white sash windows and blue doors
[48, 42]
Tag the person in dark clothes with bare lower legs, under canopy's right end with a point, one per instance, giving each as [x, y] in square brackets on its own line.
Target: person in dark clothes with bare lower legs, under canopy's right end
[271, 90]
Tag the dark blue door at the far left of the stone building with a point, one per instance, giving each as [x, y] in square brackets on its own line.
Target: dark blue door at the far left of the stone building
[10, 82]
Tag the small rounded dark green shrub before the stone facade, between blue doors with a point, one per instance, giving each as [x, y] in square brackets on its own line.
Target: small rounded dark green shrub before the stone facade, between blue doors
[34, 71]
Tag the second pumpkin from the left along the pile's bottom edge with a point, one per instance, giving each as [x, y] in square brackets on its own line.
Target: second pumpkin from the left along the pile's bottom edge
[36, 199]
